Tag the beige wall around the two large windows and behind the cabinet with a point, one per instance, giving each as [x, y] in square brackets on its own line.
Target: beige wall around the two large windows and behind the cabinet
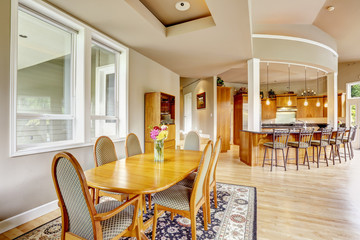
[26, 181]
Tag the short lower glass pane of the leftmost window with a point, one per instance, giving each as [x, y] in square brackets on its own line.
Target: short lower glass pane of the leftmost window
[32, 131]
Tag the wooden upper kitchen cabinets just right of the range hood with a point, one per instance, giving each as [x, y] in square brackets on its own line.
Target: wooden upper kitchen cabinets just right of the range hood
[311, 110]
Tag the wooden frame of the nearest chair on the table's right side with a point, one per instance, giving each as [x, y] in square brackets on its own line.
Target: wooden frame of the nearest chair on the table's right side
[194, 208]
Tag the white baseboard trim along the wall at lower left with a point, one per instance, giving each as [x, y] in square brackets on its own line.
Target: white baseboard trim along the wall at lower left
[27, 216]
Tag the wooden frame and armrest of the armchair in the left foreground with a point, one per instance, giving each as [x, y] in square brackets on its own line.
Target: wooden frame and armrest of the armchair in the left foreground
[96, 218]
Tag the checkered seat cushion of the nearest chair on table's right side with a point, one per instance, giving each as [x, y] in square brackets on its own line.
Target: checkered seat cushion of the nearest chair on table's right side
[176, 197]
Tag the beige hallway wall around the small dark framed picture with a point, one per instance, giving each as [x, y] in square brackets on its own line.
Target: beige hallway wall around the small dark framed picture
[202, 119]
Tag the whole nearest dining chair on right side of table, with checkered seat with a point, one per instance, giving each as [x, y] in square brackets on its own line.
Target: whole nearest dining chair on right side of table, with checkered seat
[187, 201]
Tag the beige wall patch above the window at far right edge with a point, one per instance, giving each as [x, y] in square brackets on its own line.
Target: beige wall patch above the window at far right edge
[348, 72]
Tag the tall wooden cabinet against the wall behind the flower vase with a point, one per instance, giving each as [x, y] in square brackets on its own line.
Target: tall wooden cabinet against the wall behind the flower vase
[159, 108]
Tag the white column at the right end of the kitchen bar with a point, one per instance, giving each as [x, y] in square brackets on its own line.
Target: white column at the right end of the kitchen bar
[332, 89]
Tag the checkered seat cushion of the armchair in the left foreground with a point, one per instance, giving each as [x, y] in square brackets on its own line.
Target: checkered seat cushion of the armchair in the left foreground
[115, 225]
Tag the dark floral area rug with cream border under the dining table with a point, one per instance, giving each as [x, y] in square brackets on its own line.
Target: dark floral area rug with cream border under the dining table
[234, 219]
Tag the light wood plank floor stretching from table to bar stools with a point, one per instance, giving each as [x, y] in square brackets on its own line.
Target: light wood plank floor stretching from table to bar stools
[316, 204]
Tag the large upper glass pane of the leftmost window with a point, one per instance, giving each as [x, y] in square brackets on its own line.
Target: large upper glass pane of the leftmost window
[44, 67]
